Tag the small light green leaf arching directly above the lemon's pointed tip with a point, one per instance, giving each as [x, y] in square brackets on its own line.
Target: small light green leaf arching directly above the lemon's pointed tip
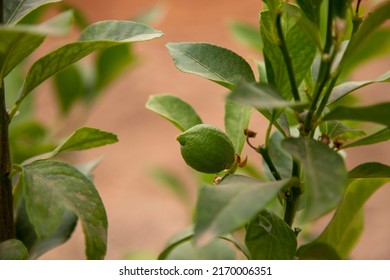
[175, 110]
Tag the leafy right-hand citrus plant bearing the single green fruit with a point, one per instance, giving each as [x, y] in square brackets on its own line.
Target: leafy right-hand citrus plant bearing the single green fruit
[309, 48]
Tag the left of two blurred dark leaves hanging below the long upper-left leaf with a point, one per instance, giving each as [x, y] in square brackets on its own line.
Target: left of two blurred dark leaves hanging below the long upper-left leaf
[70, 87]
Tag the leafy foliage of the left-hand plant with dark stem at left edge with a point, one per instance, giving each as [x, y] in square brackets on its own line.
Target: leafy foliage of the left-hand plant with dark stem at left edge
[49, 196]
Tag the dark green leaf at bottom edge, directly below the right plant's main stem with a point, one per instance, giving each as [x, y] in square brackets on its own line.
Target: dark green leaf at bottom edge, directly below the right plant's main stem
[269, 238]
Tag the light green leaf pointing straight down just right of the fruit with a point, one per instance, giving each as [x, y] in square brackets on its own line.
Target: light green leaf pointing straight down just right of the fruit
[237, 118]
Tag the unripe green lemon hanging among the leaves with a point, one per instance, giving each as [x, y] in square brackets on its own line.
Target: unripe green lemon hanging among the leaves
[206, 148]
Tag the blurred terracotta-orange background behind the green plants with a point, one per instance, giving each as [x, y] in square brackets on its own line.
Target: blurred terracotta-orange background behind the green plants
[142, 214]
